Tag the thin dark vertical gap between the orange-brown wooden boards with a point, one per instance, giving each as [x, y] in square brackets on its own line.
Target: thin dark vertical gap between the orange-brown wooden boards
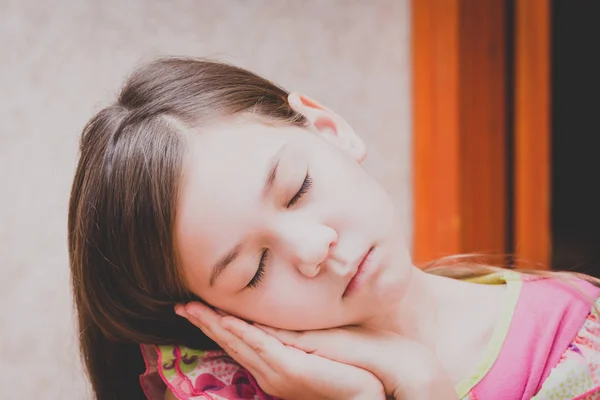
[510, 122]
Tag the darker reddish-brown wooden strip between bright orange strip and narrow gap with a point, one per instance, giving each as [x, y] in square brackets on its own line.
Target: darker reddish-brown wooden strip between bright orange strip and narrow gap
[483, 125]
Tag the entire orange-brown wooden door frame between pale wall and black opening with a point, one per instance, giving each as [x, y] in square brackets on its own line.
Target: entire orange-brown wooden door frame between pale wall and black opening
[461, 183]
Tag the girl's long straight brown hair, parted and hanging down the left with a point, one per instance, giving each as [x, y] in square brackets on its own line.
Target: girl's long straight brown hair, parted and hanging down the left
[125, 275]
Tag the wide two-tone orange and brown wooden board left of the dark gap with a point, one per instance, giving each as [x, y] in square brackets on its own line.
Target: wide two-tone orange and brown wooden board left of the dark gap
[458, 127]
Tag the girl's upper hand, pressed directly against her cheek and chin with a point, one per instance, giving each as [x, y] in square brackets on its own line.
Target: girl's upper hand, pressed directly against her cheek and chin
[408, 370]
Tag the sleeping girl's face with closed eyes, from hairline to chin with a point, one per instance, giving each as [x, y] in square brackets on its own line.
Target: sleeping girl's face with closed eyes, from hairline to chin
[273, 222]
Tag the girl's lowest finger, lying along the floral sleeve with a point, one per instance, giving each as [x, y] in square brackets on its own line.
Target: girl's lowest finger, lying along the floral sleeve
[209, 322]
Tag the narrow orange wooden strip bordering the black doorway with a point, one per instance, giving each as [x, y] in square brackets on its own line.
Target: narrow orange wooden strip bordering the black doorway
[532, 131]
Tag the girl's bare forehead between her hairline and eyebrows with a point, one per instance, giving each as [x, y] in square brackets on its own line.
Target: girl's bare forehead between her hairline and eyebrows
[221, 187]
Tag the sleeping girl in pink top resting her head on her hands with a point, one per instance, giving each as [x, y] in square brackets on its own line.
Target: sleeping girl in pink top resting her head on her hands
[208, 197]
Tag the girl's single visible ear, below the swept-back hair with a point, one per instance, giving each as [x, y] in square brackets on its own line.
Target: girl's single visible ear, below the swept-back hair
[331, 126]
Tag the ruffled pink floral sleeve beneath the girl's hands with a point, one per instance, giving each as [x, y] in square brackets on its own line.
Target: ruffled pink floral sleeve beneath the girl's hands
[193, 374]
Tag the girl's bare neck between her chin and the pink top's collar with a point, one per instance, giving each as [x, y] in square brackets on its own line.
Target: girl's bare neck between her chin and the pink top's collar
[450, 317]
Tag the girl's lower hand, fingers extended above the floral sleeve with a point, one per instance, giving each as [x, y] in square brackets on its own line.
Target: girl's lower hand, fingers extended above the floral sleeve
[283, 371]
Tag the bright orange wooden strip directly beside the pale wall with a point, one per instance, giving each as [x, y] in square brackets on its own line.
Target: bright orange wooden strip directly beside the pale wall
[436, 168]
